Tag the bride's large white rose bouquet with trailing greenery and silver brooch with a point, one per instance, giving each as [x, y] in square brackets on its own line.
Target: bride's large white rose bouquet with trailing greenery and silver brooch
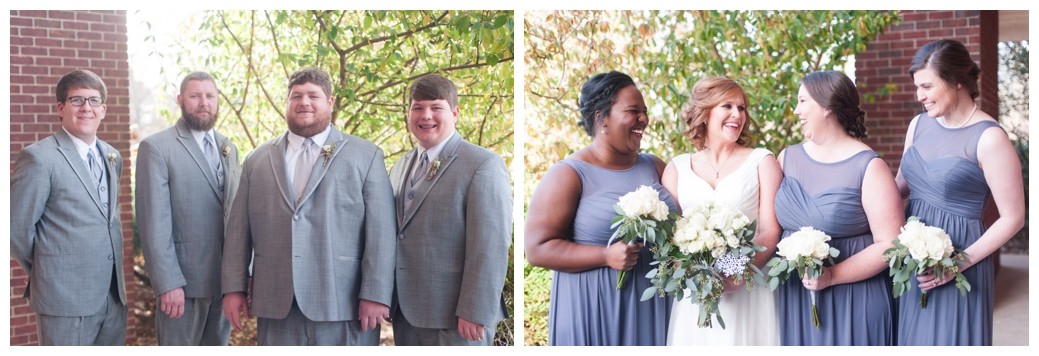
[711, 243]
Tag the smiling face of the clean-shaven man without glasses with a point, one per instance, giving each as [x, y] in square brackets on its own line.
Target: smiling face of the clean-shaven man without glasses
[432, 121]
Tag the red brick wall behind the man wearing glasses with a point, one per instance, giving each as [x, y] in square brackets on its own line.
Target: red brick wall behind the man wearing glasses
[45, 45]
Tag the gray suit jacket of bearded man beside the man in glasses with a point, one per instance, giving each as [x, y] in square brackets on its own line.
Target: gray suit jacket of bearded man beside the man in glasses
[181, 210]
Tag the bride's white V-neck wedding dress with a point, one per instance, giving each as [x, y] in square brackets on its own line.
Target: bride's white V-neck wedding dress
[751, 316]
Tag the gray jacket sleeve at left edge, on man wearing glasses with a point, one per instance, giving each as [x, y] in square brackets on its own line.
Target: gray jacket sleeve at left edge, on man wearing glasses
[31, 187]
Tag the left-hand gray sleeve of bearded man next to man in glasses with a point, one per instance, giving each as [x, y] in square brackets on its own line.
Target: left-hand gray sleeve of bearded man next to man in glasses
[155, 220]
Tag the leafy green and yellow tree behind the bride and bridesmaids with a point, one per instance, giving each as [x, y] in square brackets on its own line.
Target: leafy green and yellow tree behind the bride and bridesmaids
[767, 52]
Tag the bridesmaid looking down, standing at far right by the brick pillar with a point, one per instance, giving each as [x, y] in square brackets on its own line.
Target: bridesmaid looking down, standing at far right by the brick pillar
[955, 157]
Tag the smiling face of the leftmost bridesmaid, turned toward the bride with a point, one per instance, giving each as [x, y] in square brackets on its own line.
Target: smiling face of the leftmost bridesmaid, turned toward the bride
[627, 121]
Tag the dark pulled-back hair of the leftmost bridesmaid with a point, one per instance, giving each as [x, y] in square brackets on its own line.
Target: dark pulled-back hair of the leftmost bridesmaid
[599, 95]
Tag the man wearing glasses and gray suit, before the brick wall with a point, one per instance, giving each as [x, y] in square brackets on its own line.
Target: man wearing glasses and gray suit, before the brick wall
[65, 223]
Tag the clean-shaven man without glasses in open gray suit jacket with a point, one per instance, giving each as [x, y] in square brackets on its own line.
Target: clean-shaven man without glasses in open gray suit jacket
[455, 213]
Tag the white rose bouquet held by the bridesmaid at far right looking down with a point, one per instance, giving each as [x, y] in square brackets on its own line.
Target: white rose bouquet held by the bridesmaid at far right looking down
[921, 248]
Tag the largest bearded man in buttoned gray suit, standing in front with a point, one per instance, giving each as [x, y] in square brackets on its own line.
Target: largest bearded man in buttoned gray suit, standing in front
[314, 218]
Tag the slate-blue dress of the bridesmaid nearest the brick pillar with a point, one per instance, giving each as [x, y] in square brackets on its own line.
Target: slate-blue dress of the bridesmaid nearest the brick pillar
[948, 190]
